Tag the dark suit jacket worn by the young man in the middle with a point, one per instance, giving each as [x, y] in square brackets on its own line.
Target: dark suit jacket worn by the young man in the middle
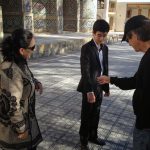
[91, 68]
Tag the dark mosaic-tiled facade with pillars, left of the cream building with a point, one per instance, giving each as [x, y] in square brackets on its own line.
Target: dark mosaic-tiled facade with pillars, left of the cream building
[53, 16]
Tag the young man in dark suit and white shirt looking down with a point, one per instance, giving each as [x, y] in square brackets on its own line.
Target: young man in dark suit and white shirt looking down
[94, 62]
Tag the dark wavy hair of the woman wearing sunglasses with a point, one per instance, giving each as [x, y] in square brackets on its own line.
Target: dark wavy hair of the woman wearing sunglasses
[20, 38]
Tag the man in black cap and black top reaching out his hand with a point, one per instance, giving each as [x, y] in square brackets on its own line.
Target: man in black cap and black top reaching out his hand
[137, 34]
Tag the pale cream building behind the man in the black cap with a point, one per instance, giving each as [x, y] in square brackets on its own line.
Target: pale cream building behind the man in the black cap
[117, 12]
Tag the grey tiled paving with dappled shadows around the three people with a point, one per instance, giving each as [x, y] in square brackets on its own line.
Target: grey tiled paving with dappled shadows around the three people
[58, 109]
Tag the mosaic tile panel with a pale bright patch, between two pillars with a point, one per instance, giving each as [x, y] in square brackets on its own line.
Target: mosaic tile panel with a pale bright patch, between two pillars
[44, 14]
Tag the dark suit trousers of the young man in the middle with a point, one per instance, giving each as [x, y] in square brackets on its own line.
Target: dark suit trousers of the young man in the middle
[90, 113]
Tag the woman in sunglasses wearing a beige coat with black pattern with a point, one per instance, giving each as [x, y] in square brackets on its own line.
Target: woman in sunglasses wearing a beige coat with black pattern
[19, 129]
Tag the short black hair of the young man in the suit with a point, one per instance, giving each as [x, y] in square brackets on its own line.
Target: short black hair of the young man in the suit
[101, 25]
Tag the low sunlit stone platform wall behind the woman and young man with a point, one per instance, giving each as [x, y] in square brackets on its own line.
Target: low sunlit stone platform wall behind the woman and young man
[59, 44]
